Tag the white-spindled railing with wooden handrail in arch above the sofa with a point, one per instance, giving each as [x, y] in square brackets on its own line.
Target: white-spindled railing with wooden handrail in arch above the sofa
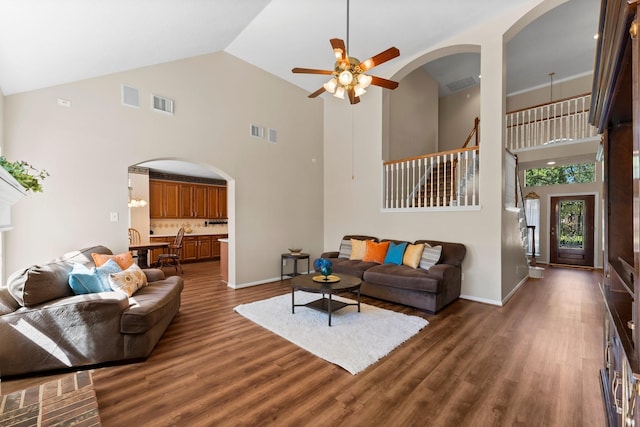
[438, 180]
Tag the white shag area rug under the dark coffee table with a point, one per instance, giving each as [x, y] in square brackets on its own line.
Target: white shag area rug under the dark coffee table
[354, 340]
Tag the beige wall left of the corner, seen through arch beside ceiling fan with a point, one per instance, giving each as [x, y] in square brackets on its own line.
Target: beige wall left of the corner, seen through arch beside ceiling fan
[413, 116]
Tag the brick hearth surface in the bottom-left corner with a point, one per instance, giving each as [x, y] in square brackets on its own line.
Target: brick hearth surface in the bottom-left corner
[68, 401]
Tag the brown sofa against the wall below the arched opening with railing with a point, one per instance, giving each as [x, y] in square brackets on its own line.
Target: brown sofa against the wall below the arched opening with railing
[429, 290]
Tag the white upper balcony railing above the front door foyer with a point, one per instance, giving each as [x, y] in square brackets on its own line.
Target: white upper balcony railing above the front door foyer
[565, 120]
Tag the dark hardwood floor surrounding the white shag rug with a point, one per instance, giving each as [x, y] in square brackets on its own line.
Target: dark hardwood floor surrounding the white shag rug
[533, 362]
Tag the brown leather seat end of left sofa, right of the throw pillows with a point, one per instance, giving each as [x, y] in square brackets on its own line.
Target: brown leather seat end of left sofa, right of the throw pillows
[150, 305]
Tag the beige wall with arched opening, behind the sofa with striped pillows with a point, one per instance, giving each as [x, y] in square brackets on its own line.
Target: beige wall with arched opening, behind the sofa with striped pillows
[353, 174]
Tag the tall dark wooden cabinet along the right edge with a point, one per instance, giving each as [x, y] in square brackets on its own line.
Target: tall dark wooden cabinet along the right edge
[615, 110]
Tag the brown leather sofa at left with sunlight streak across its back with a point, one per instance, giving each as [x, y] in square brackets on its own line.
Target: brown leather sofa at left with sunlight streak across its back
[45, 326]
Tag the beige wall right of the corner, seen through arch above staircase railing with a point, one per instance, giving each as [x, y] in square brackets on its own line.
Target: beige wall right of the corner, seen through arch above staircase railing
[457, 114]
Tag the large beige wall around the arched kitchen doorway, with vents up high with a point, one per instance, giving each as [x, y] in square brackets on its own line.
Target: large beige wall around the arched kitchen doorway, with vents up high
[273, 202]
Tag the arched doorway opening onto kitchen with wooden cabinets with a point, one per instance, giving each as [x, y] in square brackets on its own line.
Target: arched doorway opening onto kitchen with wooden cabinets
[209, 190]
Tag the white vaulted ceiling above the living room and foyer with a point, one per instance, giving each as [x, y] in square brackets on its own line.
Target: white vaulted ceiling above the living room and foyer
[45, 43]
